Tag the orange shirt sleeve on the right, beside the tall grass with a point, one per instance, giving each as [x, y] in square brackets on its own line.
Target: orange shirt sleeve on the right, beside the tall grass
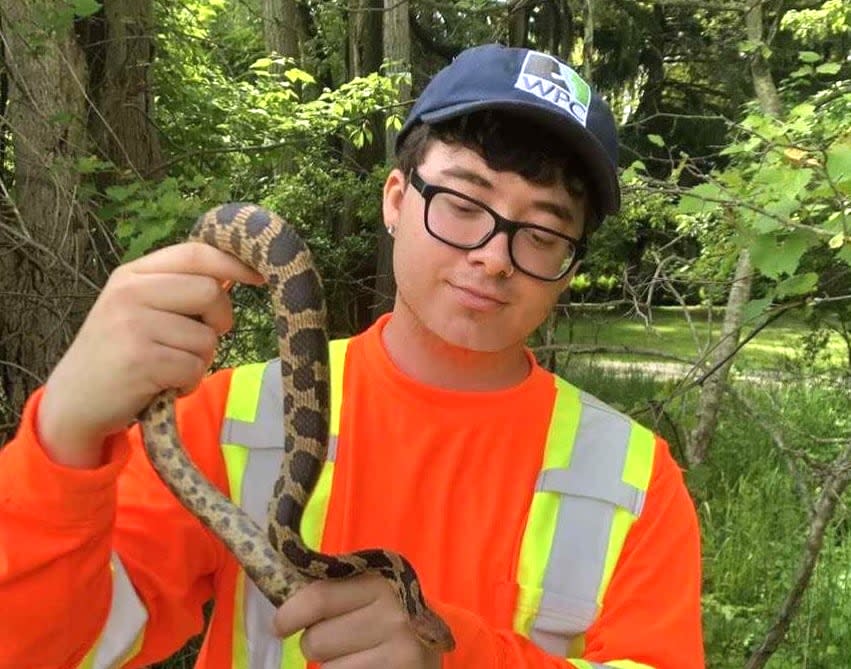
[650, 616]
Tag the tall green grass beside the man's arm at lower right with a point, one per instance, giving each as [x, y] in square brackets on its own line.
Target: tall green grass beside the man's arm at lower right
[752, 516]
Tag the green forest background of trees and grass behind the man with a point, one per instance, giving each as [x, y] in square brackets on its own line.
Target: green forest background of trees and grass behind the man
[121, 121]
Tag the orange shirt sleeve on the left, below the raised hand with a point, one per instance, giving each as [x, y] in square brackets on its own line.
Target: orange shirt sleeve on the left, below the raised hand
[63, 530]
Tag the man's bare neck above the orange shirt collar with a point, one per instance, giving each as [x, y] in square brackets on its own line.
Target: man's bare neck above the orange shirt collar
[425, 357]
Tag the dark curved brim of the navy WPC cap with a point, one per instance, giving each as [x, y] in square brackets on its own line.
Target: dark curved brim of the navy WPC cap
[602, 177]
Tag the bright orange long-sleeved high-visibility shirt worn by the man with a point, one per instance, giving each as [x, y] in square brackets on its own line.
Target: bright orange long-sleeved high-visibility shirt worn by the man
[444, 477]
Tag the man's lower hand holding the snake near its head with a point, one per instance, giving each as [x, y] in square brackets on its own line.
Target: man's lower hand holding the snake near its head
[354, 624]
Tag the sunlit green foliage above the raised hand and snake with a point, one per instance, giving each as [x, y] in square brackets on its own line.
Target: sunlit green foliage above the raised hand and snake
[243, 127]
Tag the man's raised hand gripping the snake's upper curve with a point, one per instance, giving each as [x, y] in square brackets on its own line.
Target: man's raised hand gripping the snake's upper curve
[154, 326]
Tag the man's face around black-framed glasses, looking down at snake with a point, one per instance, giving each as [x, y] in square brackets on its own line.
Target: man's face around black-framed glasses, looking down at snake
[464, 296]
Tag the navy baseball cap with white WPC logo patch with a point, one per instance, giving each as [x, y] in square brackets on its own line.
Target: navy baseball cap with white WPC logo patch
[536, 85]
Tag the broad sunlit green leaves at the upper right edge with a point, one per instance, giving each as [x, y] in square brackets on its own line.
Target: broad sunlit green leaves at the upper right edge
[786, 192]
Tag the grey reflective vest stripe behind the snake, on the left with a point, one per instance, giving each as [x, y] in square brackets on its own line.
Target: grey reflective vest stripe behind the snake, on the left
[264, 438]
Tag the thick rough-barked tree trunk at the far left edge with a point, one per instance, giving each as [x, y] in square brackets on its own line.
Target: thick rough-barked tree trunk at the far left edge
[44, 241]
